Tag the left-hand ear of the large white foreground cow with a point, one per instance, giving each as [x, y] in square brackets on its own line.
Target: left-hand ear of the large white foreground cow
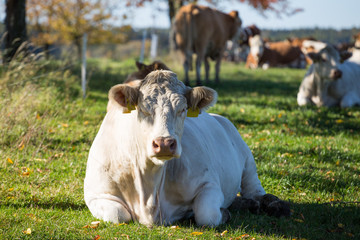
[125, 95]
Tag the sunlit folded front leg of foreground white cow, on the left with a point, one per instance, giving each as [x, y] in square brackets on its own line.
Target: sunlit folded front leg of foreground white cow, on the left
[109, 210]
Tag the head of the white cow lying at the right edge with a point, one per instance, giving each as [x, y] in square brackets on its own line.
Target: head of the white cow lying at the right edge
[326, 63]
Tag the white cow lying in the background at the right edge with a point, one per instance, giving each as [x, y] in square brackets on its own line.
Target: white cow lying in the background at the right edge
[329, 82]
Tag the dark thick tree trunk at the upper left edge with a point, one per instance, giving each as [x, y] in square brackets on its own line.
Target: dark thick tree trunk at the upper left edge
[15, 24]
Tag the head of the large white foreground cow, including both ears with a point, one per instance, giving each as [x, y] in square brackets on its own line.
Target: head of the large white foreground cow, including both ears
[160, 103]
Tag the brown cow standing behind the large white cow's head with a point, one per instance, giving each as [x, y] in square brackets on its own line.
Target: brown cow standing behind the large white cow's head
[203, 31]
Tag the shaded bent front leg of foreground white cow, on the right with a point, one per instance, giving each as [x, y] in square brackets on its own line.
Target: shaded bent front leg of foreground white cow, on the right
[207, 208]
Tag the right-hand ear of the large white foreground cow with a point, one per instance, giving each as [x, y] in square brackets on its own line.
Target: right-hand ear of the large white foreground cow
[200, 98]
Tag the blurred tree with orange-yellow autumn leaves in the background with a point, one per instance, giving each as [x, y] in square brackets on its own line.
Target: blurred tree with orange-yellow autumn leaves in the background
[68, 20]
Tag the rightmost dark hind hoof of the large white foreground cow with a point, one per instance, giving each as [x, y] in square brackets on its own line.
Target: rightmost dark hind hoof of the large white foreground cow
[273, 206]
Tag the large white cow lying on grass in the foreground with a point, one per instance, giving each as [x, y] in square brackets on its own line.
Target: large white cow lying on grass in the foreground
[155, 165]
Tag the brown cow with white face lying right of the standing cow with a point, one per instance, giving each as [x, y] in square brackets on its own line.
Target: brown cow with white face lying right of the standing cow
[274, 54]
